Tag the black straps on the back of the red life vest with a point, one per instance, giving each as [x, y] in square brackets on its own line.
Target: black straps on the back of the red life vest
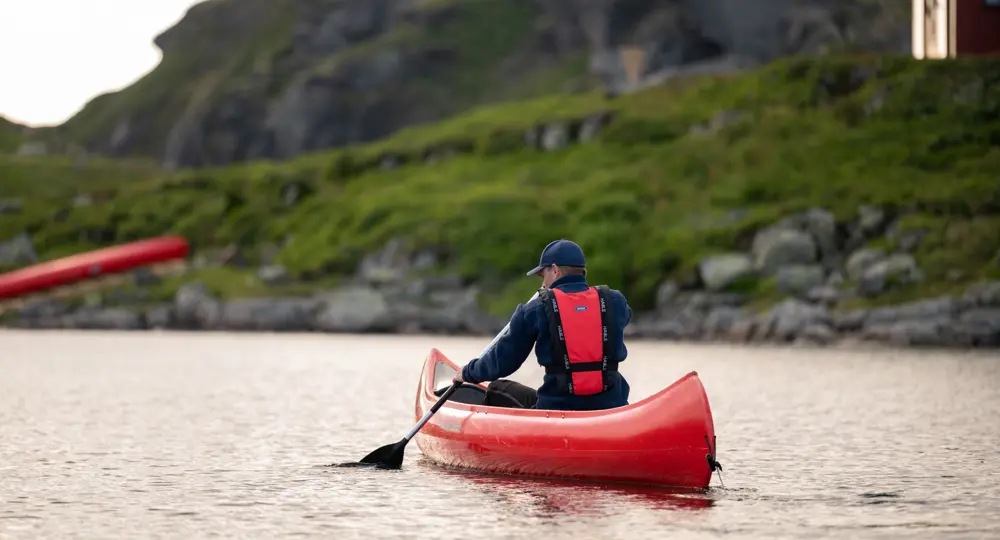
[561, 366]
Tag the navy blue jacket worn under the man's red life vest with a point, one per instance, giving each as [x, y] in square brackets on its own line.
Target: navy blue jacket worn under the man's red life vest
[528, 326]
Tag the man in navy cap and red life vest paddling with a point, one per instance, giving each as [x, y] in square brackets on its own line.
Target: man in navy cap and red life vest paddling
[581, 368]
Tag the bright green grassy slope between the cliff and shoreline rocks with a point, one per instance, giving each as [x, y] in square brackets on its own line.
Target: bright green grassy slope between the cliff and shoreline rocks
[656, 191]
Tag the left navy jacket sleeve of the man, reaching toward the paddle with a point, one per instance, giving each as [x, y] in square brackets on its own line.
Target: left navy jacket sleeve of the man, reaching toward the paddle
[507, 355]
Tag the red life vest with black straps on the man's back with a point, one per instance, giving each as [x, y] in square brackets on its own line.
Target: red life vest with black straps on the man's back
[580, 324]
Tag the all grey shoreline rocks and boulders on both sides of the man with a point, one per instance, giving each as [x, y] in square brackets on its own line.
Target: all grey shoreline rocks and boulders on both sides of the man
[814, 266]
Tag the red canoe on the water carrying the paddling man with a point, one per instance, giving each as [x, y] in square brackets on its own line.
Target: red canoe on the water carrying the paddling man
[660, 440]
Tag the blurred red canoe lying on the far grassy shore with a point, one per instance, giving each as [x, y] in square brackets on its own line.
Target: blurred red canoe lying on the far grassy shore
[74, 268]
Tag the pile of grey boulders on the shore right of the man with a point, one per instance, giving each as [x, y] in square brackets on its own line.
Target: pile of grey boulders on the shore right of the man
[817, 265]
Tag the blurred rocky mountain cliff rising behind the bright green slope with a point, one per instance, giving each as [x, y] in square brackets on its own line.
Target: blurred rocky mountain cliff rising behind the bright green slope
[250, 79]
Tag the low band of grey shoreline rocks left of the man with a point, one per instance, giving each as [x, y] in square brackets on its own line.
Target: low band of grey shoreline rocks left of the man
[420, 307]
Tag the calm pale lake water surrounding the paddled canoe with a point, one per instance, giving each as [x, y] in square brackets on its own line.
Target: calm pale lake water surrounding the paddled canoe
[150, 435]
